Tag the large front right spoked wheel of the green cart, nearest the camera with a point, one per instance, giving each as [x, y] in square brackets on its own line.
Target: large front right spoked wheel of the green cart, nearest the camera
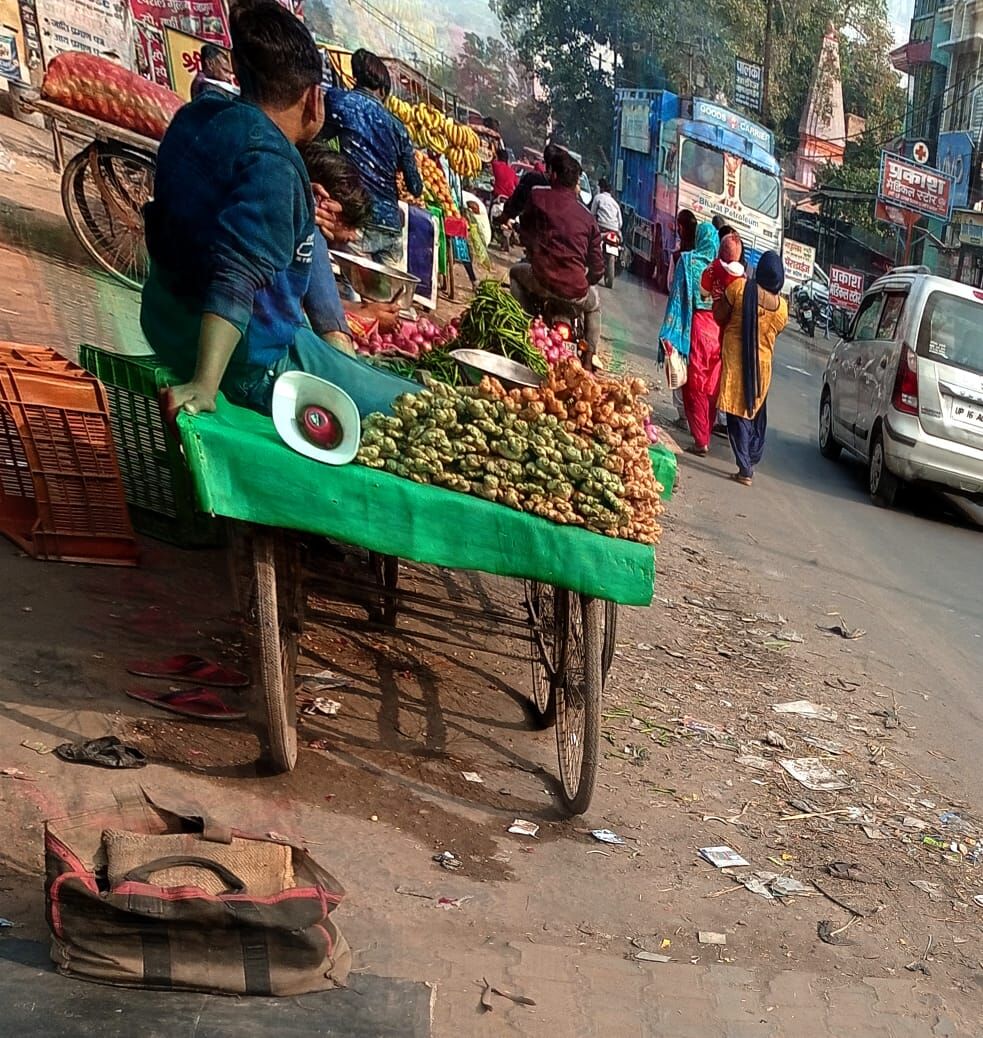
[579, 700]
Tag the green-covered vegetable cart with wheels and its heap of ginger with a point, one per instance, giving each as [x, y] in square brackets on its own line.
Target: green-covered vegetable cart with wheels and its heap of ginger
[552, 482]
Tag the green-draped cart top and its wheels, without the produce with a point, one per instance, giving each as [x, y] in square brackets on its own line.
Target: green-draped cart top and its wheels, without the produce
[243, 472]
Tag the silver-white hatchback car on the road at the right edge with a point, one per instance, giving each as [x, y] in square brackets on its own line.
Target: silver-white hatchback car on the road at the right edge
[905, 389]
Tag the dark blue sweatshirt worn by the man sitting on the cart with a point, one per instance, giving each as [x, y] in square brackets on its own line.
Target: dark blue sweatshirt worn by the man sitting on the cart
[230, 232]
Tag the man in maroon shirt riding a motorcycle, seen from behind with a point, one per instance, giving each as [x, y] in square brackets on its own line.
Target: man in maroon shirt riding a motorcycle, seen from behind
[564, 248]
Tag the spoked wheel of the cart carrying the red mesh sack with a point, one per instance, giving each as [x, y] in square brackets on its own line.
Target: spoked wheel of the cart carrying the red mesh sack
[104, 189]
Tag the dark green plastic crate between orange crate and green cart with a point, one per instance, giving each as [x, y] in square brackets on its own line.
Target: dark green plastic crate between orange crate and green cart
[155, 478]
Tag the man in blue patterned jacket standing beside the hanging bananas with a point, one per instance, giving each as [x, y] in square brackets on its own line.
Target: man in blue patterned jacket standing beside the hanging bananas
[379, 146]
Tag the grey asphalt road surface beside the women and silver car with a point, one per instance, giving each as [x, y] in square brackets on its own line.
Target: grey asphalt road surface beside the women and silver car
[910, 578]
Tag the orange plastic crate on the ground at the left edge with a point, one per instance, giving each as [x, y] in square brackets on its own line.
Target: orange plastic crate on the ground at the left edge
[61, 493]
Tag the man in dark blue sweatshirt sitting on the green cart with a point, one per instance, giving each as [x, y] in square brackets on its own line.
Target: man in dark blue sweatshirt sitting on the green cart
[231, 233]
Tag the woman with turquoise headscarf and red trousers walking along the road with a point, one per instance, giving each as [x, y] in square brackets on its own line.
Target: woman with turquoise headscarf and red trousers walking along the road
[691, 332]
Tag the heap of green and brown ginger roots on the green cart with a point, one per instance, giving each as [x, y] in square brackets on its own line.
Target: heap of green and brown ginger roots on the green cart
[574, 451]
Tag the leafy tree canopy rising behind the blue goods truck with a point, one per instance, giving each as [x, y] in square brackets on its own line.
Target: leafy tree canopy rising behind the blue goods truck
[690, 47]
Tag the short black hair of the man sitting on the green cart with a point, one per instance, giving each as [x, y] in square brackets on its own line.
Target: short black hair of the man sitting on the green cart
[276, 58]
